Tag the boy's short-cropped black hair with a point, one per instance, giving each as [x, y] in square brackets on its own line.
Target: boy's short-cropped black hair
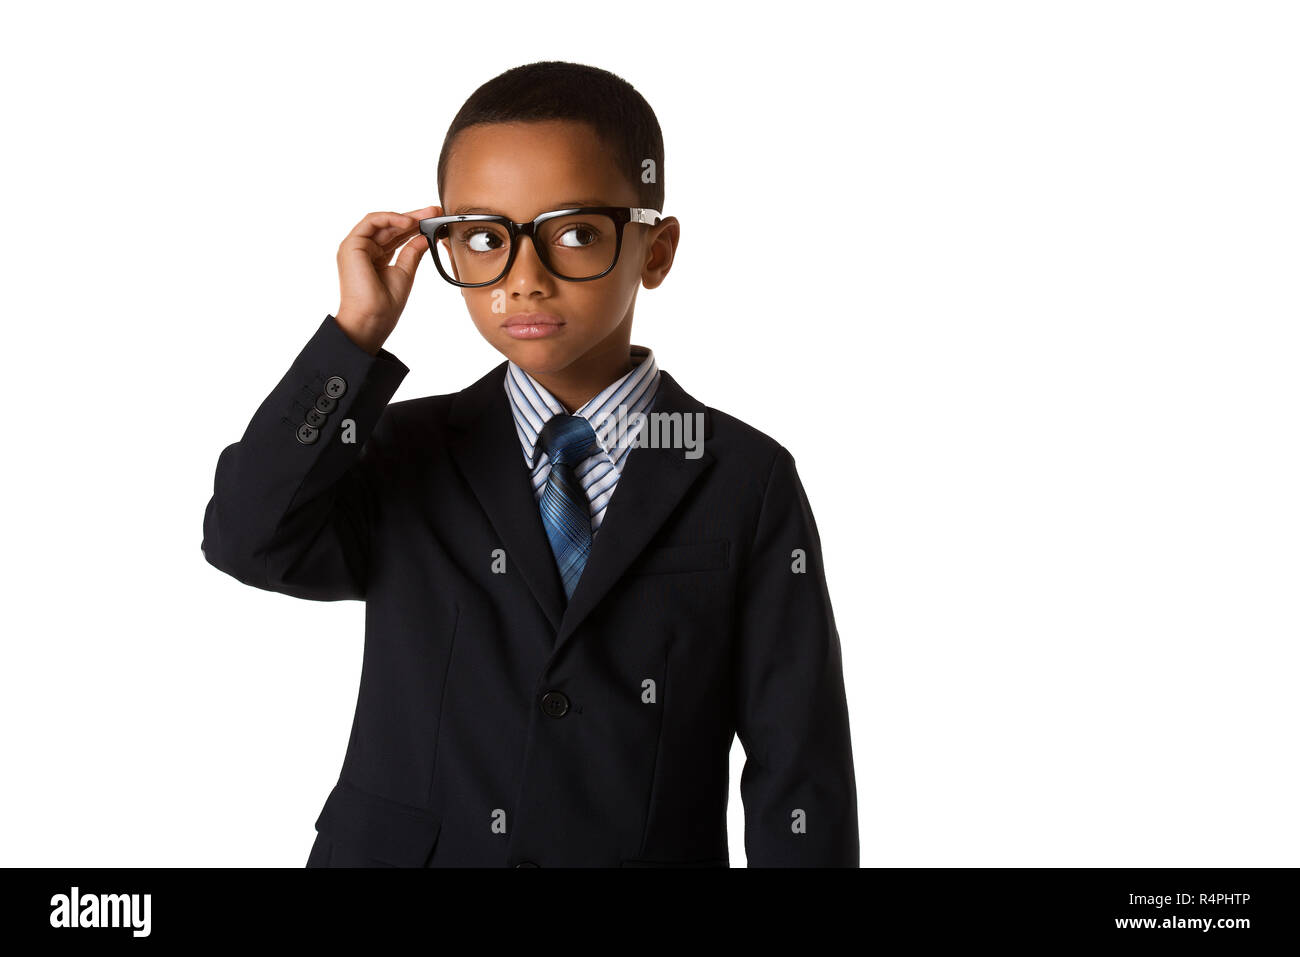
[558, 90]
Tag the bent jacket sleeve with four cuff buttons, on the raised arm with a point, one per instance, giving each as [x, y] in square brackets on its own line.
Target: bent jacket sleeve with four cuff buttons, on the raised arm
[292, 509]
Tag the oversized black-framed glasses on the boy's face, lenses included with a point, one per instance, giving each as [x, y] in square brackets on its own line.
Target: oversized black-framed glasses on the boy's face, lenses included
[577, 245]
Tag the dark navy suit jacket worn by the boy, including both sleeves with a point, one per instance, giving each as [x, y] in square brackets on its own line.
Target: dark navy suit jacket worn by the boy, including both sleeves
[499, 725]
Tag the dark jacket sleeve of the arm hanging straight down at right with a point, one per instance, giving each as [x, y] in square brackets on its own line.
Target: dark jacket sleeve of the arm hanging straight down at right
[799, 789]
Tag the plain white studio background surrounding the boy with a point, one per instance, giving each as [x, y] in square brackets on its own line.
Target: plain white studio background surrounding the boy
[1042, 391]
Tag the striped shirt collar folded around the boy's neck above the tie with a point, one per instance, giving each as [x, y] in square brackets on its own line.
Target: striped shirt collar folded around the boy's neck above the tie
[532, 408]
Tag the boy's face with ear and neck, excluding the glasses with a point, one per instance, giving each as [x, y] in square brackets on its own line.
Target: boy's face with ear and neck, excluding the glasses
[522, 171]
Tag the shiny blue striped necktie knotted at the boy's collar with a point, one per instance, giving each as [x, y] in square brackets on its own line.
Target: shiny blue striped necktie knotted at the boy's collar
[566, 509]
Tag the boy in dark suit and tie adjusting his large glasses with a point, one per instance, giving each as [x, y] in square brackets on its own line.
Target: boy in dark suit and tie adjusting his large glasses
[567, 617]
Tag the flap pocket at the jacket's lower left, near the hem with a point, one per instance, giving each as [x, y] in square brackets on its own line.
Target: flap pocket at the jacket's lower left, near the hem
[376, 828]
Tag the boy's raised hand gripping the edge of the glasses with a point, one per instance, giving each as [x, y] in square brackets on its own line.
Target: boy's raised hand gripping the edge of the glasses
[372, 293]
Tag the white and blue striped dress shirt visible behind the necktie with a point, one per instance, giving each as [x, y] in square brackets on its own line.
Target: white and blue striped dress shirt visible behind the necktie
[532, 406]
